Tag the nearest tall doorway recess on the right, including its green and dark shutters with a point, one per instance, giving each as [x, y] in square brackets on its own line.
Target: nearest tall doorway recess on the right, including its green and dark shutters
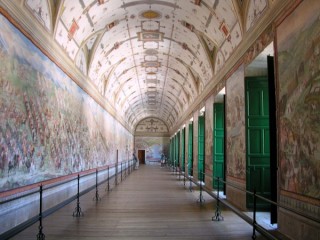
[261, 130]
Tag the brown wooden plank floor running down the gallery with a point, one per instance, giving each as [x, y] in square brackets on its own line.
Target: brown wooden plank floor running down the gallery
[151, 203]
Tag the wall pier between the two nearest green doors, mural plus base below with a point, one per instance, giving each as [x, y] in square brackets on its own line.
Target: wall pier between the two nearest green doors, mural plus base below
[236, 141]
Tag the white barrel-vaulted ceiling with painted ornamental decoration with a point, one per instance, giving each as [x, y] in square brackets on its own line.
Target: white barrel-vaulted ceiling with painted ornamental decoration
[148, 58]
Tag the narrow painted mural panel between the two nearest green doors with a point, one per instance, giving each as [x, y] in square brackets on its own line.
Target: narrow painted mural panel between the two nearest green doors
[235, 123]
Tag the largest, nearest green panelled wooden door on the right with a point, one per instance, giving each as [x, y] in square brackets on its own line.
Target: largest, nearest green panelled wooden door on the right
[258, 139]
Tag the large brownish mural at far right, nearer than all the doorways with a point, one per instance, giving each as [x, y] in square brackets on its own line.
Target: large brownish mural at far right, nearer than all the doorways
[298, 44]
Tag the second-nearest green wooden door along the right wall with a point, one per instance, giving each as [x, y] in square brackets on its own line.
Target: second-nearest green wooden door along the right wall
[218, 144]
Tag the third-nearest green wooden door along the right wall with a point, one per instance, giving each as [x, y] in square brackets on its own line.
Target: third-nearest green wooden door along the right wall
[201, 140]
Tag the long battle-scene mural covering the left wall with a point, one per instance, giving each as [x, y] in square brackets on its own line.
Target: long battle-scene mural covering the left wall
[49, 126]
